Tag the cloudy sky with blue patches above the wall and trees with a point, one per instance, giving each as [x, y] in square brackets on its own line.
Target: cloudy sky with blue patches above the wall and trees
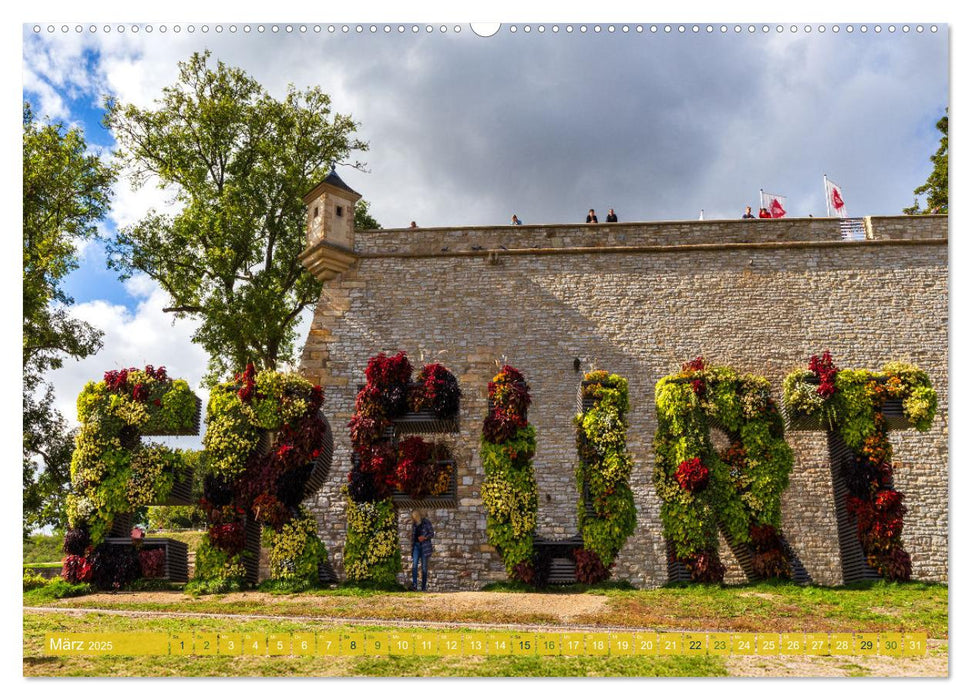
[468, 130]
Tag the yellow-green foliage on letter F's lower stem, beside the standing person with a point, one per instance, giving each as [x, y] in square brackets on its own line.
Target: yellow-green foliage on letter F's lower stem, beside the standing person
[371, 550]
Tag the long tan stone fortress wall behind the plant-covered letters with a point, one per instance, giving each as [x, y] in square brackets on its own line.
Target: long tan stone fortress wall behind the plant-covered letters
[637, 299]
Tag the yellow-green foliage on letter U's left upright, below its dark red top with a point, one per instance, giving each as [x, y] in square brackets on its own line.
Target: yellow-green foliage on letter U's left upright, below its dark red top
[509, 496]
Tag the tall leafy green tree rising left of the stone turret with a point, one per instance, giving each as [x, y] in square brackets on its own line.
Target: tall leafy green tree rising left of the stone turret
[239, 162]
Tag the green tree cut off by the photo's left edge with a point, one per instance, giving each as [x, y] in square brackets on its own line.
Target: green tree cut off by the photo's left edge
[66, 191]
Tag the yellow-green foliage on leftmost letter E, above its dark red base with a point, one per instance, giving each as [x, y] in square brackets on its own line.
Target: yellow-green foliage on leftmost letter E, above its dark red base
[112, 472]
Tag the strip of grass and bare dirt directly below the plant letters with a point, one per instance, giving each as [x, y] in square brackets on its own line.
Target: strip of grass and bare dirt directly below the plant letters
[910, 607]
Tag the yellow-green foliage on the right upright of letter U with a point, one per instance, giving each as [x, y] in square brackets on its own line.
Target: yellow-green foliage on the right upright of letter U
[605, 467]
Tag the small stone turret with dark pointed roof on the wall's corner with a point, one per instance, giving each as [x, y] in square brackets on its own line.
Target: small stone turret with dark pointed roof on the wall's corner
[330, 227]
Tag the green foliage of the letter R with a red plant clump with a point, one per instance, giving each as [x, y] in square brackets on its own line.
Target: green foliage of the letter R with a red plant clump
[742, 487]
